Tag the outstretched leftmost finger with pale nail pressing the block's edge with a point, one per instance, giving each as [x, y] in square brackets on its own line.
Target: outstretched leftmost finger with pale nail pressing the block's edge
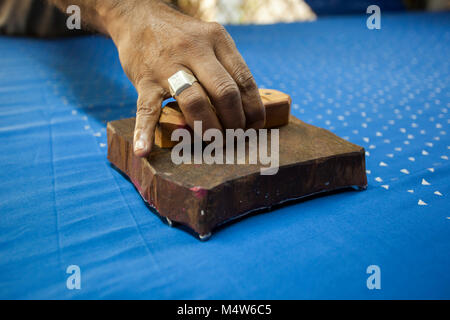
[147, 115]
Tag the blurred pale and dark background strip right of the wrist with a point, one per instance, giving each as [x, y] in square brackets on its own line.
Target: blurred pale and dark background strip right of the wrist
[273, 11]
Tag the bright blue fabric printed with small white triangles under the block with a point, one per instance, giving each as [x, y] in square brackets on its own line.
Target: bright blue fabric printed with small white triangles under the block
[62, 204]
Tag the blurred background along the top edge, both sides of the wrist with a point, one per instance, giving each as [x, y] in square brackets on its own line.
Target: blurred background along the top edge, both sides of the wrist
[41, 19]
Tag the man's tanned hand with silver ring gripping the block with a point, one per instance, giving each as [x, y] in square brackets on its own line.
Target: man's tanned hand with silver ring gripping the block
[155, 41]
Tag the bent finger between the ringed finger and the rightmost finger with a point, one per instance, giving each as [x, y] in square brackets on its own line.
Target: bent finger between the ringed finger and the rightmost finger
[221, 89]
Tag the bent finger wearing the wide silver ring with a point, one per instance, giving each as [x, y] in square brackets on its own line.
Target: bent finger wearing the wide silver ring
[195, 105]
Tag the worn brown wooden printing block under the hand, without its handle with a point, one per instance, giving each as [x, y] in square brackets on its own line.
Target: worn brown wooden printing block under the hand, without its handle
[203, 196]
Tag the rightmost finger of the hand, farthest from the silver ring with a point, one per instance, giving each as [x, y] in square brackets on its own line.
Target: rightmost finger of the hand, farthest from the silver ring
[228, 55]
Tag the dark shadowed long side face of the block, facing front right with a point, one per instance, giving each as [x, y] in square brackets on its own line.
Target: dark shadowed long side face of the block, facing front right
[245, 195]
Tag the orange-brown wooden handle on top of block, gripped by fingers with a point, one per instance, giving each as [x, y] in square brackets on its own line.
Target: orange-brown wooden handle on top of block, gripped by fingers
[276, 103]
